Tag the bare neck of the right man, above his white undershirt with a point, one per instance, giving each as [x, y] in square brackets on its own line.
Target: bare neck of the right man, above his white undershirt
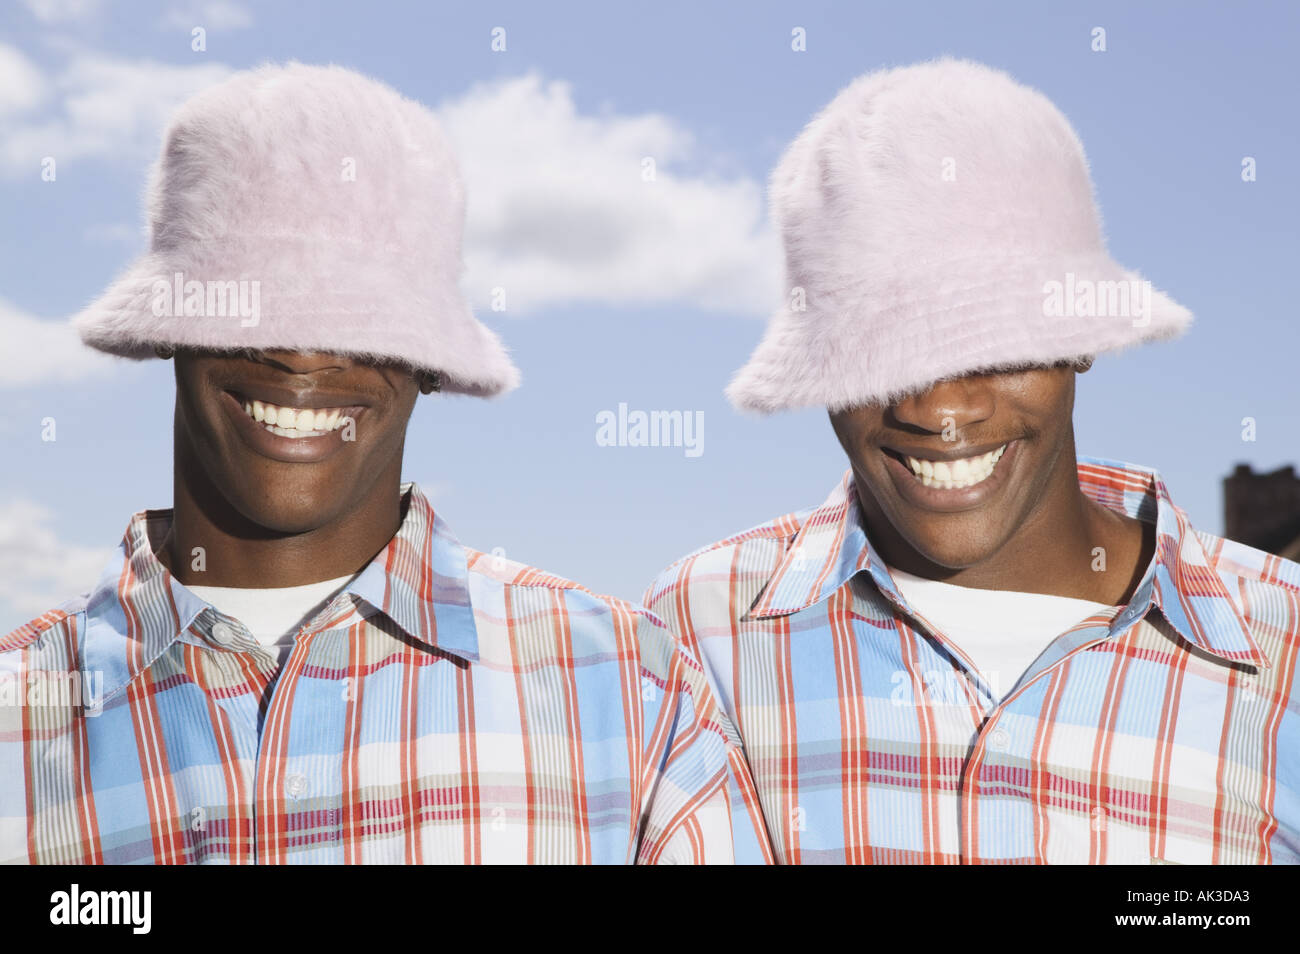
[1055, 552]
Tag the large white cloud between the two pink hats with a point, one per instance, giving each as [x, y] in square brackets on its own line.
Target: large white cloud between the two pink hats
[558, 209]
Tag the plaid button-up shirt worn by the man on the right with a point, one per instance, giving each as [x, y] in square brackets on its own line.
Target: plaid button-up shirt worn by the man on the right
[1165, 731]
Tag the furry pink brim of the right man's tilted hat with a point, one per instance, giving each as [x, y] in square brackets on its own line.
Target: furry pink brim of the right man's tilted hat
[881, 340]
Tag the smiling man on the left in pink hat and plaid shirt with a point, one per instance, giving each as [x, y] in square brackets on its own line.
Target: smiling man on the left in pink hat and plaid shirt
[300, 662]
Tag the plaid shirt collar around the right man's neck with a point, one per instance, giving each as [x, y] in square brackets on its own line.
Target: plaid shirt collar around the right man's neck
[831, 548]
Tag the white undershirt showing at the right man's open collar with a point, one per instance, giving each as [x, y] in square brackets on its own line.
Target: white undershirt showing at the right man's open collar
[1002, 631]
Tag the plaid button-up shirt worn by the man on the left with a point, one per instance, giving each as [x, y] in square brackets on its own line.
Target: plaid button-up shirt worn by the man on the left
[448, 706]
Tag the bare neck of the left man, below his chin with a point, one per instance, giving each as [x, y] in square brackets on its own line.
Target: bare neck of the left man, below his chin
[237, 552]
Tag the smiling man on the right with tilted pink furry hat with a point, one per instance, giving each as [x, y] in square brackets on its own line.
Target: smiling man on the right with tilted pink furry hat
[981, 648]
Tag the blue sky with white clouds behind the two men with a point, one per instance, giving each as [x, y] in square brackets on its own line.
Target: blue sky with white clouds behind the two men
[662, 316]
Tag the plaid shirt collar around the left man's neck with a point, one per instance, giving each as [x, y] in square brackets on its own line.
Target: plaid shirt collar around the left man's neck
[138, 609]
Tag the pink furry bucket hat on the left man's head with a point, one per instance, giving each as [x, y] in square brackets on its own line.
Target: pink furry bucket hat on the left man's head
[305, 209]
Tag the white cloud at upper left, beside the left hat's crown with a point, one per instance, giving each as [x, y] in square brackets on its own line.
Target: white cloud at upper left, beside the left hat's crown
[105, 109]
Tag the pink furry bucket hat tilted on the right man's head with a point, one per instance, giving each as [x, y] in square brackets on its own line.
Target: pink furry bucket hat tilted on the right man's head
[938, 220]
